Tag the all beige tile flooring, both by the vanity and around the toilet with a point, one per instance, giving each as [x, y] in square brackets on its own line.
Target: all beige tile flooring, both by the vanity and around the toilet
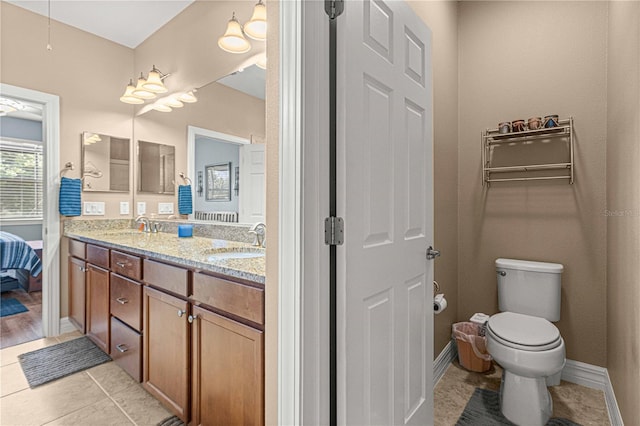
[106, 395]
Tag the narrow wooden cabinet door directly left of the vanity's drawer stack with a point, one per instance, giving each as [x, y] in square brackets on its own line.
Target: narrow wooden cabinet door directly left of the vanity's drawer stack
[98, 324]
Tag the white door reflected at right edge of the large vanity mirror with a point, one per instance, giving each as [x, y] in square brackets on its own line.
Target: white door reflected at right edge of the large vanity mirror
[252, 183]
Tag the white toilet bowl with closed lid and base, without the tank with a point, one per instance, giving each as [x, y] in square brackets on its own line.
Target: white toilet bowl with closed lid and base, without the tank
[530, 350]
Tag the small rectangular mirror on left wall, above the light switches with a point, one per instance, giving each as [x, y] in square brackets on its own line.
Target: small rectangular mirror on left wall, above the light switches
[105, 163]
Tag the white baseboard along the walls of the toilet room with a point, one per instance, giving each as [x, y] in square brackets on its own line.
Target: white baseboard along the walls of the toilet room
[576, 372]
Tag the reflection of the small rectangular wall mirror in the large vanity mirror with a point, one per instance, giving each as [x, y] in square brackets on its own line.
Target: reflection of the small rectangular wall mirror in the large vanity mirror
[156, 168]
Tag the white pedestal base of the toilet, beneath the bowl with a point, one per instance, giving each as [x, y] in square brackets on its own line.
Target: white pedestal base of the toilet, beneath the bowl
[525, 400]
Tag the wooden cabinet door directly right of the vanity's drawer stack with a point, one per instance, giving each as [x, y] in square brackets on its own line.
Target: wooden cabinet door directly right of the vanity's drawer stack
[166, 350]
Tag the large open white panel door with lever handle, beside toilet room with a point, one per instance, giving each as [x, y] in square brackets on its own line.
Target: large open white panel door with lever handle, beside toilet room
[385, 195]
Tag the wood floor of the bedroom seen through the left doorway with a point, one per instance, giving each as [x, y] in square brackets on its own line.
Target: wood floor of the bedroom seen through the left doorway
[23, 327]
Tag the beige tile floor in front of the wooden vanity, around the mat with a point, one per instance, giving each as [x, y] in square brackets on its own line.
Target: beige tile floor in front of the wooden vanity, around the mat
[103, 395]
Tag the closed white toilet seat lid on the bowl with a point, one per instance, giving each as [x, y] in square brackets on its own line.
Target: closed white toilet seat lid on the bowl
[523, 332]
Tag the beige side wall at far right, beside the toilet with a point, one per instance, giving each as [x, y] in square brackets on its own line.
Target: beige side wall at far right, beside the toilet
[623, 204]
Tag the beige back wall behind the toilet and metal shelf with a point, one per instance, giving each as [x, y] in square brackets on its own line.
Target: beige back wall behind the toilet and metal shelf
[517, 60]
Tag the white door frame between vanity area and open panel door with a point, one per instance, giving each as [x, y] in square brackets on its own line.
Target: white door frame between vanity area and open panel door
[303, 370]
